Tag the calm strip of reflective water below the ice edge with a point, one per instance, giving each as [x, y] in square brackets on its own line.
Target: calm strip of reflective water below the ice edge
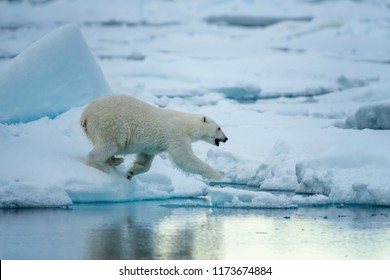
[147, 230]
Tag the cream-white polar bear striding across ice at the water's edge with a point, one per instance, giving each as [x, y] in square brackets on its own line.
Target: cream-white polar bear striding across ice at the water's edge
[120, 125]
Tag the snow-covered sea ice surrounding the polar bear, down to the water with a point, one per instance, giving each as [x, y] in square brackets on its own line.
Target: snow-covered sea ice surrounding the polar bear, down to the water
[301, 89]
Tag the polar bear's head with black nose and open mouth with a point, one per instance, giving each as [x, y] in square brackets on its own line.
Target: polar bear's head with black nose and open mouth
[211, 132]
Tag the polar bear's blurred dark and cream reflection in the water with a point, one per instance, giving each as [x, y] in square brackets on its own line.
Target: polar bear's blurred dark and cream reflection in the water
[164, 234]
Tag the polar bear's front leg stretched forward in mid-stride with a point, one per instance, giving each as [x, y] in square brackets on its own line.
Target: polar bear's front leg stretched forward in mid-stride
[183, 156]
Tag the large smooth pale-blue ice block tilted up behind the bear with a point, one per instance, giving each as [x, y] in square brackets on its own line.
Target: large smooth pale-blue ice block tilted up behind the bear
[54, 74]
